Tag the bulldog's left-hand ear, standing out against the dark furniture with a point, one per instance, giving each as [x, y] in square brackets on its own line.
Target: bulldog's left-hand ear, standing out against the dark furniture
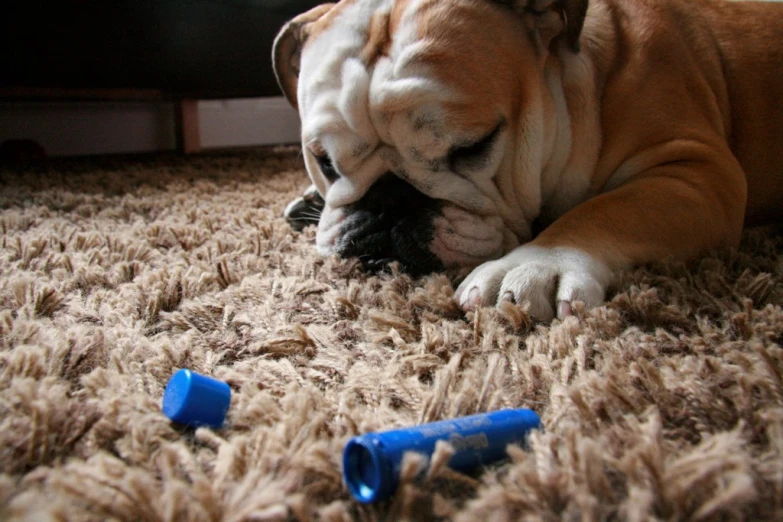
[287, 50]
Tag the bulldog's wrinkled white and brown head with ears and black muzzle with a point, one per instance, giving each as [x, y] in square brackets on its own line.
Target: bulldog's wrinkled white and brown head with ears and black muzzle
[425, 123]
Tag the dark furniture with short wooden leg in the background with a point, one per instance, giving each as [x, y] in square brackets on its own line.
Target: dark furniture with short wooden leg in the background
[142, 50]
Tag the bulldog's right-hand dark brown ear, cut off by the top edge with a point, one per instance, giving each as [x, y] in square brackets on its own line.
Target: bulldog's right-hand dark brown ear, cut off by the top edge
[554, 18]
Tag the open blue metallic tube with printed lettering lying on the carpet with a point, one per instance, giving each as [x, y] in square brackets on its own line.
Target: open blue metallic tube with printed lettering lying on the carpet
[371, 462]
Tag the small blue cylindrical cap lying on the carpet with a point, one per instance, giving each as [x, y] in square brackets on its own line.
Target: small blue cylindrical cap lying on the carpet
[196, 400]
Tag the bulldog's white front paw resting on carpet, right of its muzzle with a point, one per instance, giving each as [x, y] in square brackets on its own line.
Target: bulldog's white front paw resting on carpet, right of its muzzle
[549, 279]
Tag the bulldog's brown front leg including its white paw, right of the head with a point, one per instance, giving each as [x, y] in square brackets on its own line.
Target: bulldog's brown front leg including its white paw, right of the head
[678, 210]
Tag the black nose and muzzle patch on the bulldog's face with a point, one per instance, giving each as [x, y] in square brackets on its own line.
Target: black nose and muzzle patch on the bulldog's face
[392, 222]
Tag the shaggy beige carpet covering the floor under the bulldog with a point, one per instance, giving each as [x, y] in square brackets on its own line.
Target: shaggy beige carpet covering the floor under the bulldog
[665, 404]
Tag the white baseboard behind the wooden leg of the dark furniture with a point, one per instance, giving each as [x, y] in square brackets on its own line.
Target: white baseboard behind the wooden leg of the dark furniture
[85, 128]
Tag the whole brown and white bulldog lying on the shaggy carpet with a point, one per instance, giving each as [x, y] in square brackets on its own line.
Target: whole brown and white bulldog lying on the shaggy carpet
[447, 133]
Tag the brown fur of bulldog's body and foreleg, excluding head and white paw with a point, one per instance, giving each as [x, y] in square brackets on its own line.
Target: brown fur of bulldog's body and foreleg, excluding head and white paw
[684, 74]
